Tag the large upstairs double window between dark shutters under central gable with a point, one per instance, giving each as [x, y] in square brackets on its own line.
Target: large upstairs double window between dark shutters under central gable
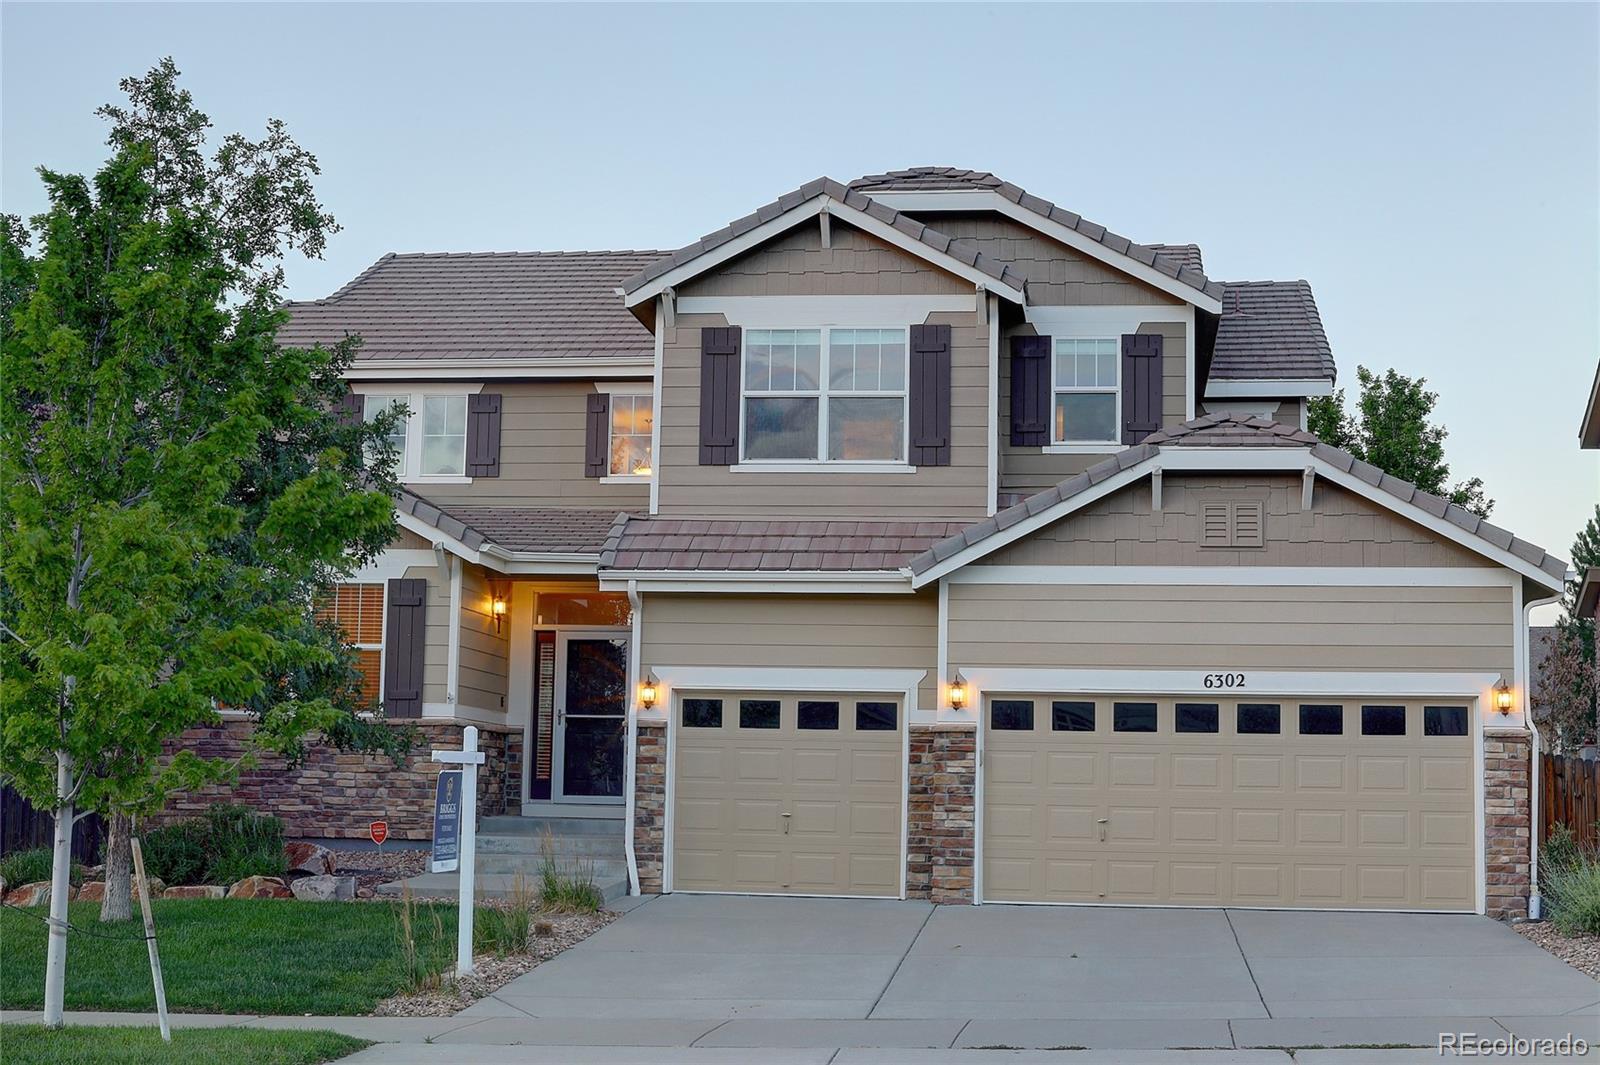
[825, 396]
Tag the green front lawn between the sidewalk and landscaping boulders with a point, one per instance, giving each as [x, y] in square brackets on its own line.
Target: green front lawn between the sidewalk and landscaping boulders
[231, 957]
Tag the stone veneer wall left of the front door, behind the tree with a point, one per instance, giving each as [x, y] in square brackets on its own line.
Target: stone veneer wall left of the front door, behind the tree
[337, 796]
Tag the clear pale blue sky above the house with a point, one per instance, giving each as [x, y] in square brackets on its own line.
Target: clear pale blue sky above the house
[1433, 170]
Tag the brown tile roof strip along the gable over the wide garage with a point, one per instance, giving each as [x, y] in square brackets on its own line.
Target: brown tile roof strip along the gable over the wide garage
[1233, 431]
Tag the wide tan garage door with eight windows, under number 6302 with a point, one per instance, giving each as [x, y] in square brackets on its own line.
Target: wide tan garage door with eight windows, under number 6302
[1262, 802]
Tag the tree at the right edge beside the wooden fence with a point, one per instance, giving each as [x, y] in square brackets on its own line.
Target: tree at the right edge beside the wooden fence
[1569, 693]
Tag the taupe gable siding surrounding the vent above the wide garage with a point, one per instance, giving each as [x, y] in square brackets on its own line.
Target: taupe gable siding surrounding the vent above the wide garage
[1340, 530]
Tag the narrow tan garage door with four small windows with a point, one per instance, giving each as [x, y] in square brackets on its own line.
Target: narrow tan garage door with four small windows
[788, 794]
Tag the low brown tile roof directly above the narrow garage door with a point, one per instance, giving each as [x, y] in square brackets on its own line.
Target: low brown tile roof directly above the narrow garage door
[729, 544]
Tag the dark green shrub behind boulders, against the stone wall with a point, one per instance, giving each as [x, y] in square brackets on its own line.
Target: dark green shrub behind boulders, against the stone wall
[225, 845]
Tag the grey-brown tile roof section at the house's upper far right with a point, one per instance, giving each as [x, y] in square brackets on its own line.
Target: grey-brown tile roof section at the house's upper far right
[1271, 332]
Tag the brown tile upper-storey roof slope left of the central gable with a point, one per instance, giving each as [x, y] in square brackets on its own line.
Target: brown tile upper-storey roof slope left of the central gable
[521, 305]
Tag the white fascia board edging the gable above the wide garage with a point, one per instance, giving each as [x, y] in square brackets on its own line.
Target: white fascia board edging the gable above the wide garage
[1244, 461]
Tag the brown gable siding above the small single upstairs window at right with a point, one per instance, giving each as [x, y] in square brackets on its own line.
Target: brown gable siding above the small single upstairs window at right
[1057, 276]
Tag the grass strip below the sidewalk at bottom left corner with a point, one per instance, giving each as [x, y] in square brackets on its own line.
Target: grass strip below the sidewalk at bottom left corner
[34, 1045]
